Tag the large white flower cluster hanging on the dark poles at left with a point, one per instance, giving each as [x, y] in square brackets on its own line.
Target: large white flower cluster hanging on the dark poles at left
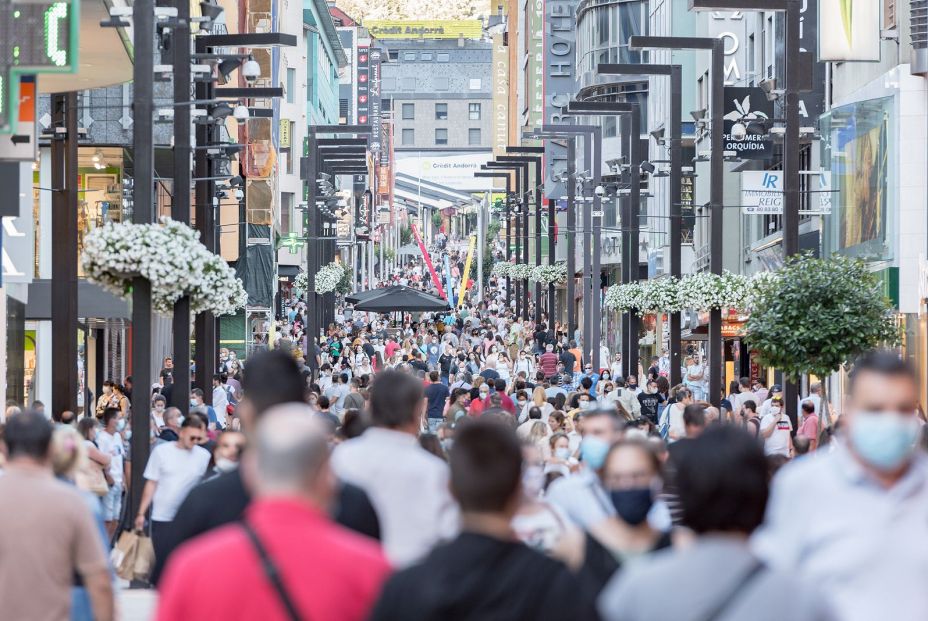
[170, 256]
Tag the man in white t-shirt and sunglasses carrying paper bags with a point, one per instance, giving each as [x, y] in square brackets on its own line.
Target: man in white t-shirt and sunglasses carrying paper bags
[172, 470]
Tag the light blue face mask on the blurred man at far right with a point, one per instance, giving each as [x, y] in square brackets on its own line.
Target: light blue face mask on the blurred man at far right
[885, 440]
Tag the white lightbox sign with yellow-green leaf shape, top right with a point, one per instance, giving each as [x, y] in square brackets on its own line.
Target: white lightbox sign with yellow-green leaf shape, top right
[849, 30]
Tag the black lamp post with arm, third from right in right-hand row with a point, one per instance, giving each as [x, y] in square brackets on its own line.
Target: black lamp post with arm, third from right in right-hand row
[676, 187]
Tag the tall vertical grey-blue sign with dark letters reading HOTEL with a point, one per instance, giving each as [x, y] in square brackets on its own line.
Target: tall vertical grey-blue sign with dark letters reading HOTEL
[560, 84]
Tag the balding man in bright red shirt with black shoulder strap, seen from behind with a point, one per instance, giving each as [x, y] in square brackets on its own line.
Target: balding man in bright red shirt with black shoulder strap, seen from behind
[325, 571]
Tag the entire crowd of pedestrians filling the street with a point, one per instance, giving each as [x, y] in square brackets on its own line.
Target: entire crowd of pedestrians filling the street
[474, 465]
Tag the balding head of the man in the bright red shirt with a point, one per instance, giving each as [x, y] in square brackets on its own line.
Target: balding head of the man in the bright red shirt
[291, 456]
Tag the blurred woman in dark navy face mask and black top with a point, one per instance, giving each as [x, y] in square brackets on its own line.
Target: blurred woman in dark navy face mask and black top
[630, 475]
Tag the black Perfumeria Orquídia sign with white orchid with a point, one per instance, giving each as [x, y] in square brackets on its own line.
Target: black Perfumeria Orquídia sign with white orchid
[749, 108]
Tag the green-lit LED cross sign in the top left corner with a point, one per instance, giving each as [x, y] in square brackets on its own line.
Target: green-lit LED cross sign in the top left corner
[35, 37]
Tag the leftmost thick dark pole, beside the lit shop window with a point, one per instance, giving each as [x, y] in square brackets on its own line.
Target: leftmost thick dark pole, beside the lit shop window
[64, 255]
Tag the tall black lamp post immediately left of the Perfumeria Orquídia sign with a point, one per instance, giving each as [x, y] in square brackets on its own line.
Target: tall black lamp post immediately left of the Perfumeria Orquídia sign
[716, 168]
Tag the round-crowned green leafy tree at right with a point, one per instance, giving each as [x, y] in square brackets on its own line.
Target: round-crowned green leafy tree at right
[814, 316]
